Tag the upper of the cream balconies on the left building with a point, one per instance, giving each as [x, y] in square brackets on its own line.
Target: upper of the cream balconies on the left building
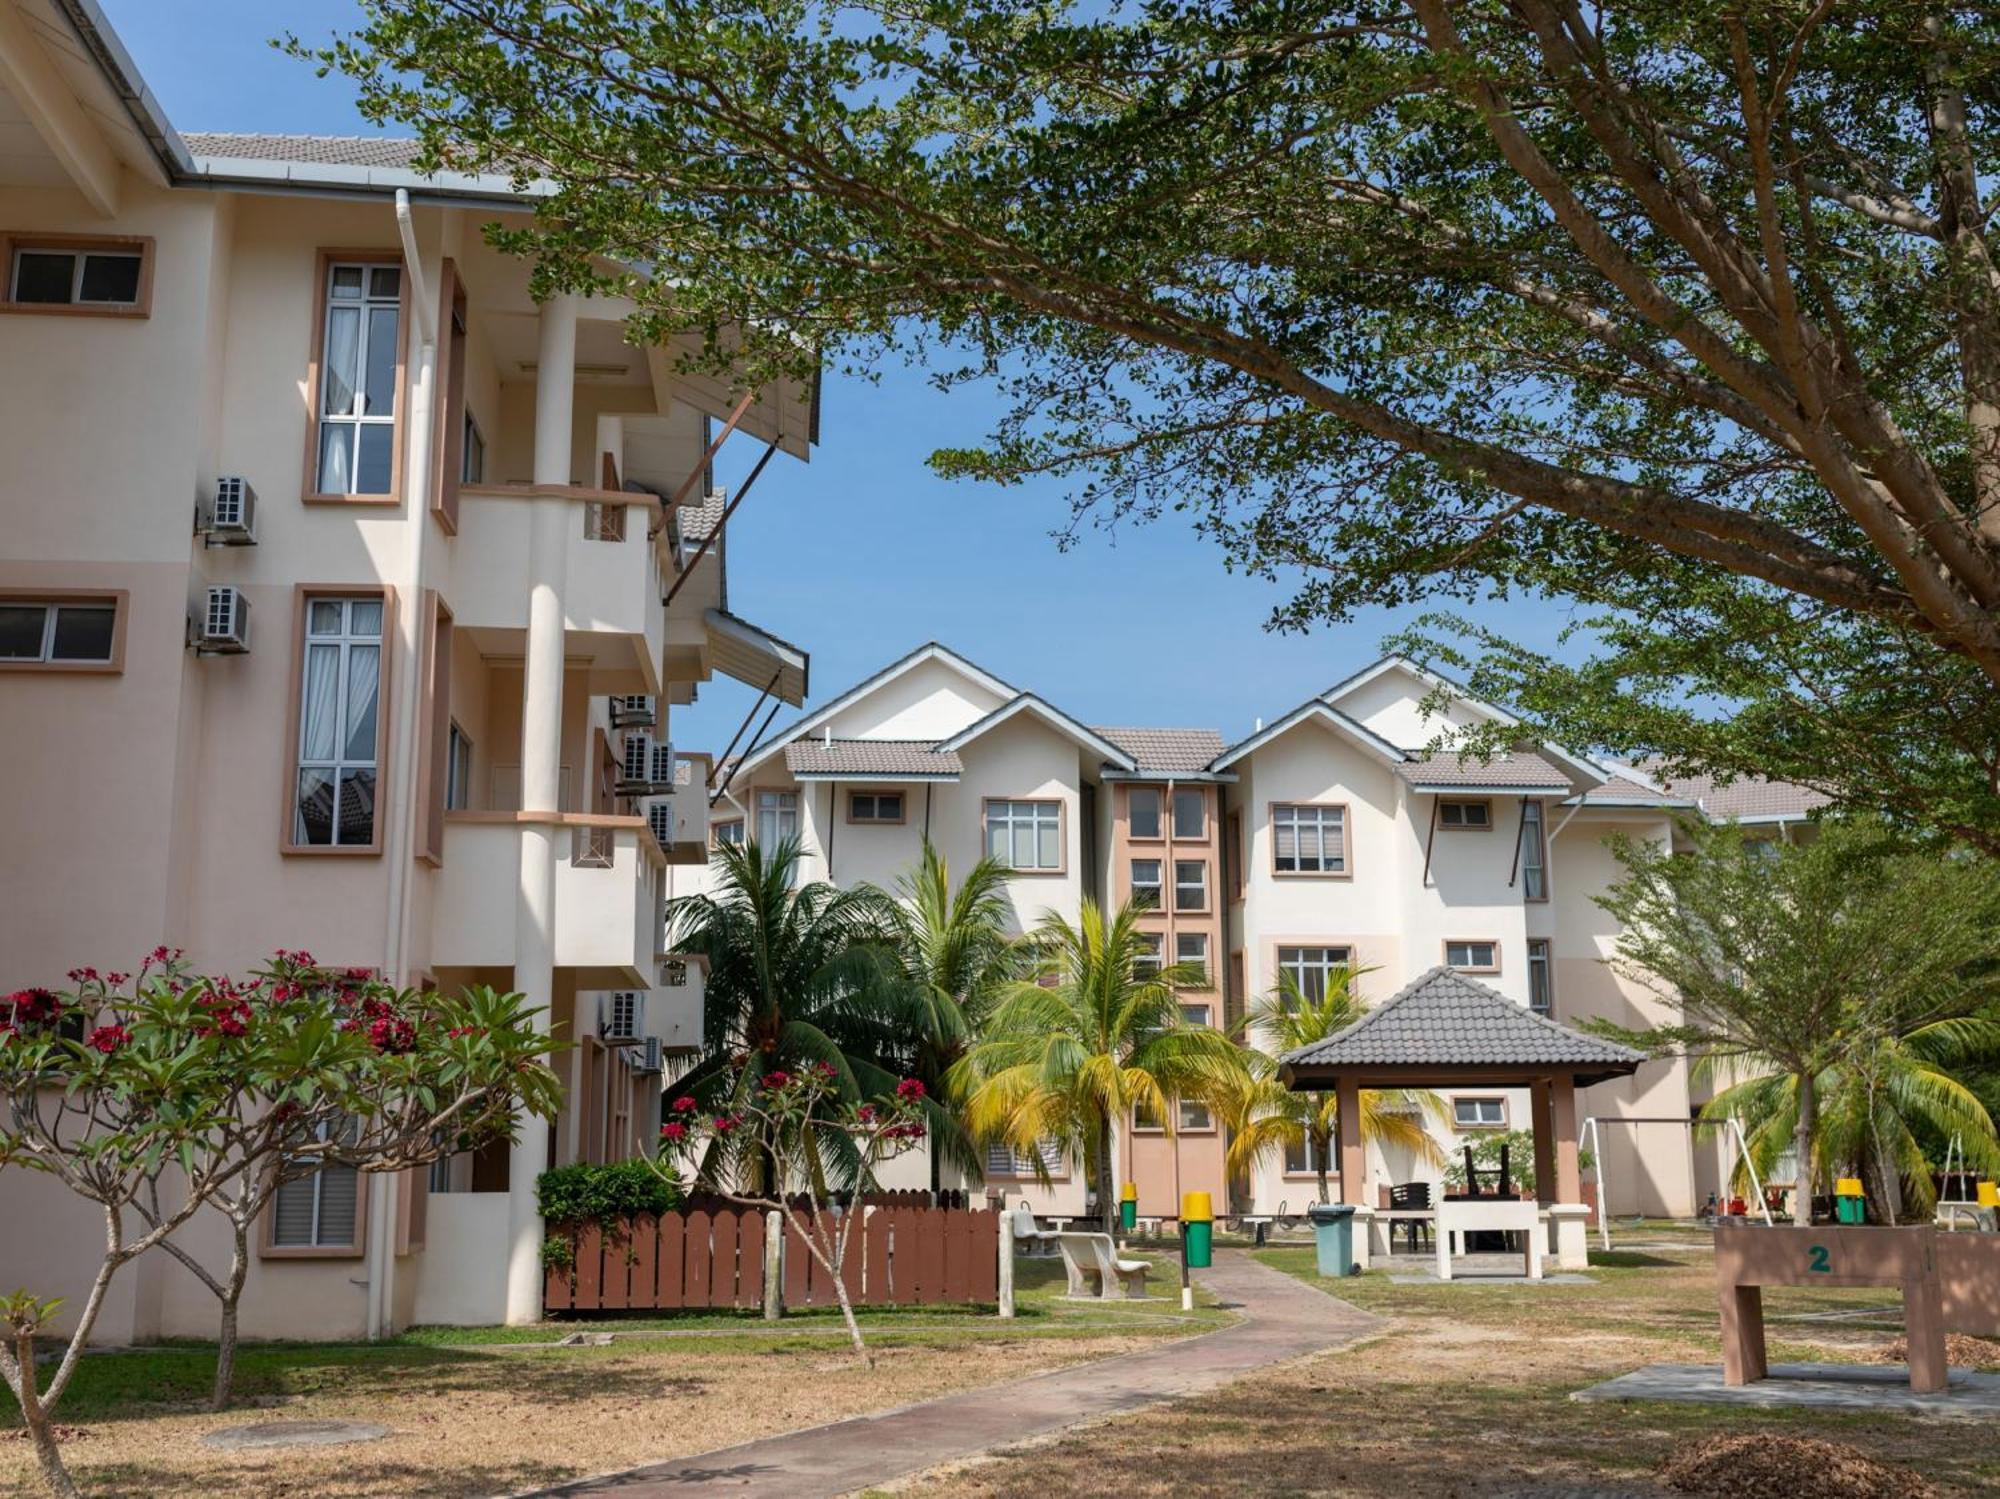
[613, 579]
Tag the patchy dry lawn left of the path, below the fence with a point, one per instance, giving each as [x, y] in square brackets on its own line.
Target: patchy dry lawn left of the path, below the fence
[481, 1412]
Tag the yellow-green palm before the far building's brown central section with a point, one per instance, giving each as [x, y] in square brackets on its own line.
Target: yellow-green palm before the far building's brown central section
[1087, 1040]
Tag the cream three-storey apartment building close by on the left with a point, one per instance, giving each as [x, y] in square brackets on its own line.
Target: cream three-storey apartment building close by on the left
[347, 597]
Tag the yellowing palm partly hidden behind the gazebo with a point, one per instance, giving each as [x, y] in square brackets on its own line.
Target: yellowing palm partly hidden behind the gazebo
[1267, 1116]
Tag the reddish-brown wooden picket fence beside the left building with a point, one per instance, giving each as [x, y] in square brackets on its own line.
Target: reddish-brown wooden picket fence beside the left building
[713, 1258]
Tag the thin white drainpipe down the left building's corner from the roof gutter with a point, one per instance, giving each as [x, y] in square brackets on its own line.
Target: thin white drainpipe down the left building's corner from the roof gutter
[381, 1248]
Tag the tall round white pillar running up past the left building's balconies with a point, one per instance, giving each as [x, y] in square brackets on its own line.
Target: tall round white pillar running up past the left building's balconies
[541, 776]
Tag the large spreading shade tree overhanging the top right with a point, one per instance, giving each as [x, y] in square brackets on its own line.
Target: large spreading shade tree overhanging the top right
[1681, 309]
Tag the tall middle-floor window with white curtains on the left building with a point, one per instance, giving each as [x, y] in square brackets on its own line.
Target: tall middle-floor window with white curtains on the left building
[339, 723]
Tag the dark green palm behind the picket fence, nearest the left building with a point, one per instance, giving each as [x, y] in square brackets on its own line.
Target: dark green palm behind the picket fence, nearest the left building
[797, 974]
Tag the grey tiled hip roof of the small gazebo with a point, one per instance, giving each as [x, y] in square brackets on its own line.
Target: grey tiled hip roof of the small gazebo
[1443, 1020]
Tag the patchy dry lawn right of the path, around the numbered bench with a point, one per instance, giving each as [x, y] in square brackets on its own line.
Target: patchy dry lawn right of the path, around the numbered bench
[1467, 1394]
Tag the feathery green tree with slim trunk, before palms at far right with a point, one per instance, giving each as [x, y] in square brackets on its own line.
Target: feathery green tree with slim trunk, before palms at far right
[1823, 982]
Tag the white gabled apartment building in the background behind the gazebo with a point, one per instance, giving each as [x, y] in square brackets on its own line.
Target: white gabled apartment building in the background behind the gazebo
[1333, 838]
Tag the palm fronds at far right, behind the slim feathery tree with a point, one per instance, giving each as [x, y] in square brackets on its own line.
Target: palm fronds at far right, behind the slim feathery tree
[1873, 1104]
